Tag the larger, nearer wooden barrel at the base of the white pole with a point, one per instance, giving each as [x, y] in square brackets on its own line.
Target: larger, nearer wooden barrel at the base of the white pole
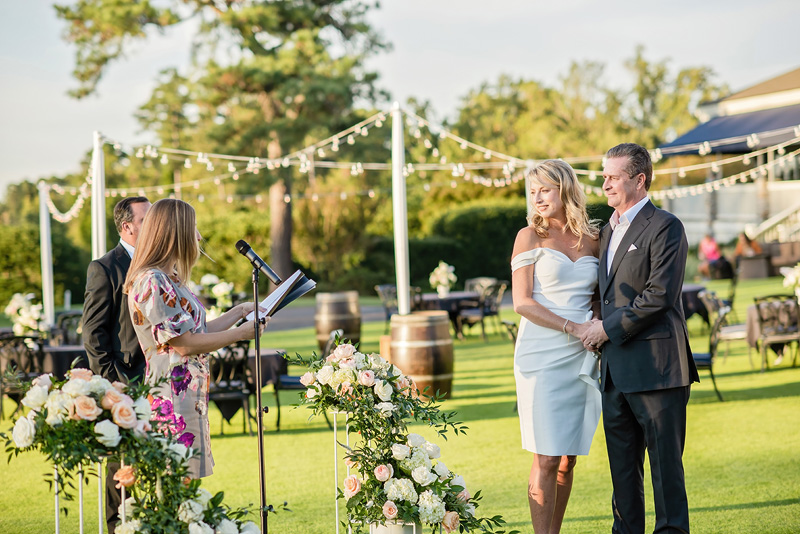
[422, 348]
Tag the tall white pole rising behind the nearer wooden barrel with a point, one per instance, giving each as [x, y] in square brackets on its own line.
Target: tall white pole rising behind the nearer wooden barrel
[400, 212]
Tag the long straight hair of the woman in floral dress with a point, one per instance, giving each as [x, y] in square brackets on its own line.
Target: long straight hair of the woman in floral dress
[167, 241]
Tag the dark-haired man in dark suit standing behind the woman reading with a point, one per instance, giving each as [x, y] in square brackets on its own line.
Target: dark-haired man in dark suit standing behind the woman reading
[108, 335]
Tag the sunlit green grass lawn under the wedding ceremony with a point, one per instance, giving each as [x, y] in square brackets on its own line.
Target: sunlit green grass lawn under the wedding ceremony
[741, 459]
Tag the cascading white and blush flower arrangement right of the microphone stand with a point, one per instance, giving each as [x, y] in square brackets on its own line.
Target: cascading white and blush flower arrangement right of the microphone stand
[399, 476]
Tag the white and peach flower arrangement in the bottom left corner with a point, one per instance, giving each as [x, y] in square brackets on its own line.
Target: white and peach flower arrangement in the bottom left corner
[84, 419]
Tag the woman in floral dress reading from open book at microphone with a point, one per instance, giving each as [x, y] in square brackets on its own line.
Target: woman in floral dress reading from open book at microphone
[170, 323]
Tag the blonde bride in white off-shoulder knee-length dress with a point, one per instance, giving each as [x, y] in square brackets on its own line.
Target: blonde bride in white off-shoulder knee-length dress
[554, 281]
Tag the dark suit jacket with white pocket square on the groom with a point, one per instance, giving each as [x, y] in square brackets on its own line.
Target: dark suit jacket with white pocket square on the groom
[648, 347]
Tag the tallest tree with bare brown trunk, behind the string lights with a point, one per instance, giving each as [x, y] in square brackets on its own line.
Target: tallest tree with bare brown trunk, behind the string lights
[297, 70]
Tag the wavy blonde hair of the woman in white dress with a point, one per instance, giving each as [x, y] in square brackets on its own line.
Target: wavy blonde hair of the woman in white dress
[557, 173]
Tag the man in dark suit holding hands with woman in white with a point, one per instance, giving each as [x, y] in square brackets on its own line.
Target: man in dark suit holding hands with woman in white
[646, 363]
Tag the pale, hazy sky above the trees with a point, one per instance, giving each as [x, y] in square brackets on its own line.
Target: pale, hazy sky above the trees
[442, 49]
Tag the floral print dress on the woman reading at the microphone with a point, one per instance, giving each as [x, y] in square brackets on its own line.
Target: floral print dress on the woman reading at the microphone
[162, 308]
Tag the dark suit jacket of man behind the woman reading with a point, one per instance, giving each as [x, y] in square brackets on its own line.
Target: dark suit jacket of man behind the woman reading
[108, 333]
